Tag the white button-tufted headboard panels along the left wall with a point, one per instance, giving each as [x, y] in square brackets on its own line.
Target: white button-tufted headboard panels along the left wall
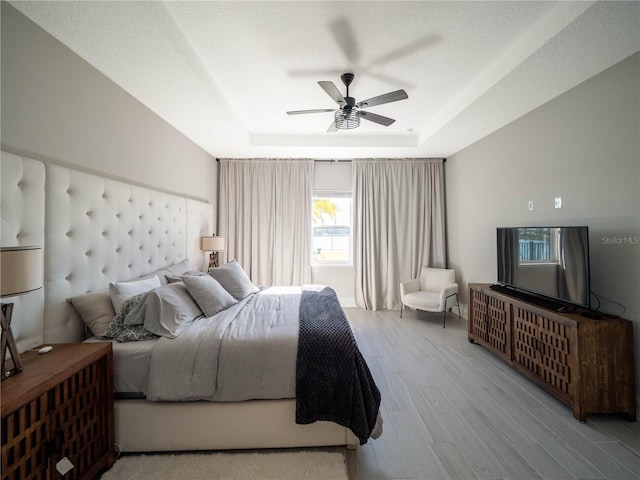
[94, 230]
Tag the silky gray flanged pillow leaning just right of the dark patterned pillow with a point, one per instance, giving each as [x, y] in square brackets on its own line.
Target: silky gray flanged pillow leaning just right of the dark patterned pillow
[165, 310]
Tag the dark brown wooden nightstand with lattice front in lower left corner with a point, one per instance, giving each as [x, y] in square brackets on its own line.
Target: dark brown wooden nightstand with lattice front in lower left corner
[60, 407]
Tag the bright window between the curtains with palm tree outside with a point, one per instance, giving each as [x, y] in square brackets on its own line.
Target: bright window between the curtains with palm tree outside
[331, 232]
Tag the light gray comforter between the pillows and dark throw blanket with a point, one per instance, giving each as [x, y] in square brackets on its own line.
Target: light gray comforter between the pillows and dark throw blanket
[245, 352]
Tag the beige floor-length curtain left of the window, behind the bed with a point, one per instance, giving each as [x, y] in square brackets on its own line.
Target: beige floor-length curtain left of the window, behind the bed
[265, 216]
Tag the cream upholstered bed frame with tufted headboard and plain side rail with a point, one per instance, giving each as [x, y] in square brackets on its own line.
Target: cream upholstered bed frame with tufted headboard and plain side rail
[96, 231]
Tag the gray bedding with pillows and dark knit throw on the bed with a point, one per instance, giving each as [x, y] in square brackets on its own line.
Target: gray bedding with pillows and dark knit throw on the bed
[190, 340]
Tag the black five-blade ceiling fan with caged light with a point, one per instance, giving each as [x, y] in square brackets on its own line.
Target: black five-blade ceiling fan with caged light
[348, 115]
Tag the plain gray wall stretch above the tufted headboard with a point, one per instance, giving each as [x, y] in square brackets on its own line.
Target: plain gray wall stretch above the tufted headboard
[58, 108]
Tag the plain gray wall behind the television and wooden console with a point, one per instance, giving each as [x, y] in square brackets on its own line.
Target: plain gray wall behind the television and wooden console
[583, 146]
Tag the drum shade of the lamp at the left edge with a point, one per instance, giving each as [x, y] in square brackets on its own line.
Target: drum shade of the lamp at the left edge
[20, 270]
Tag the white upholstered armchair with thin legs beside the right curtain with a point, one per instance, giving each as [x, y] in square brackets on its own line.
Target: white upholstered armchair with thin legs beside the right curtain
[435, 291]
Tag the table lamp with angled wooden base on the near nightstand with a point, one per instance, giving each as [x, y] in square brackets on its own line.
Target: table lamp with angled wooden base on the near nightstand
[20, 273]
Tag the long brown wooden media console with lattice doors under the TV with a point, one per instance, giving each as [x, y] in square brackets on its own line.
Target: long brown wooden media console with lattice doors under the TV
[586, 363]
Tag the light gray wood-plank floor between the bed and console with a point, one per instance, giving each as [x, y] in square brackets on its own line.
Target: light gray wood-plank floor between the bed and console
[453, 411]
